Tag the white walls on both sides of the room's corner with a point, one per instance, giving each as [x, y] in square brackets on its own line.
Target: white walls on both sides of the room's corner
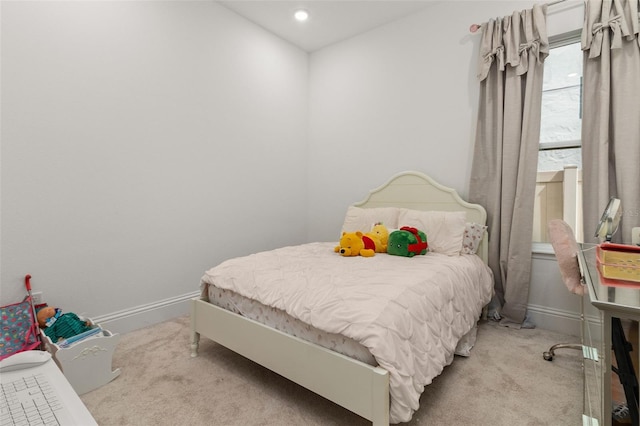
[133, 134]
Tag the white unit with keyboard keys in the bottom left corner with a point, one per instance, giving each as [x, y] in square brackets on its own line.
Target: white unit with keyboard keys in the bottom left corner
[37, 393]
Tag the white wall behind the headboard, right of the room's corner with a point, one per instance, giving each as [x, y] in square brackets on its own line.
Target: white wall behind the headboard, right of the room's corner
[405, 96]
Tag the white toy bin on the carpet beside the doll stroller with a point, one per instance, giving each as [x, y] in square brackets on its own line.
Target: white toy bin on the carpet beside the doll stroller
[87, 363]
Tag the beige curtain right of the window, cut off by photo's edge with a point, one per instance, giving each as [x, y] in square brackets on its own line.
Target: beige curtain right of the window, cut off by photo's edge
[611, 113]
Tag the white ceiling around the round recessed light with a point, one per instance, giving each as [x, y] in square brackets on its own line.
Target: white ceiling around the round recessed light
[329, 21]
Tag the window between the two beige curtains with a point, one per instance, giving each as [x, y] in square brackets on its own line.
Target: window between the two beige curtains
[558, 188]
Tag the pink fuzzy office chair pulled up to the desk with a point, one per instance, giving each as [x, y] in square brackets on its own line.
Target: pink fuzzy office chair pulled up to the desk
[566, 249]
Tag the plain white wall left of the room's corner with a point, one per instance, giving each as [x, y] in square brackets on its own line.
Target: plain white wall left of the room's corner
[142, 143]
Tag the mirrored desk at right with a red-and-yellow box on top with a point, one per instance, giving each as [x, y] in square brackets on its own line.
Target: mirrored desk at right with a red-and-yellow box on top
[612, 302]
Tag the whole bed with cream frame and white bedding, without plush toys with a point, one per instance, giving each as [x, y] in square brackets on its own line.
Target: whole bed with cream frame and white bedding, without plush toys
[365, 333]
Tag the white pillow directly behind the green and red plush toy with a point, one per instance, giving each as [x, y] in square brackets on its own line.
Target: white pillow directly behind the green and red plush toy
[445, 230]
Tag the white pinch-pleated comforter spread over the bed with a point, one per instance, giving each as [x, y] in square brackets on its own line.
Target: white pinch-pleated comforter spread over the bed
[409, 312]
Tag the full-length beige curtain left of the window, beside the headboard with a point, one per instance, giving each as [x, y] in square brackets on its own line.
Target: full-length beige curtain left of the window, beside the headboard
[503, 174]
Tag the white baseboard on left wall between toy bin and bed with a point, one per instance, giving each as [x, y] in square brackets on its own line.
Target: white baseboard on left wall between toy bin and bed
[145, 315]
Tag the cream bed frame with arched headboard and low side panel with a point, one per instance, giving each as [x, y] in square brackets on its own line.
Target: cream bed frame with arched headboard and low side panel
[357, 386]
